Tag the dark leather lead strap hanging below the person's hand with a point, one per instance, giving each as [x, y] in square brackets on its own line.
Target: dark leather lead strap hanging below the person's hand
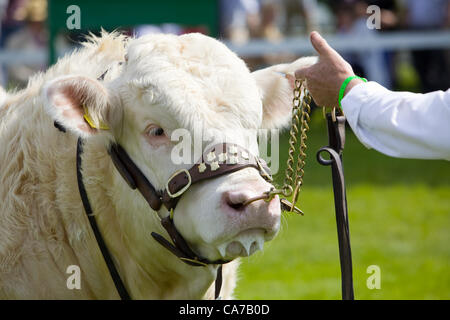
[336, 137]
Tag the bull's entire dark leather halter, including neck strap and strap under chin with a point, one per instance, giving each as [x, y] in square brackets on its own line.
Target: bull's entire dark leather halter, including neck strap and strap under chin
[219, 160]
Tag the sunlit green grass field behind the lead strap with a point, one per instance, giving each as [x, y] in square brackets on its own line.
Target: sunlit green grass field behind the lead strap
[399, 213]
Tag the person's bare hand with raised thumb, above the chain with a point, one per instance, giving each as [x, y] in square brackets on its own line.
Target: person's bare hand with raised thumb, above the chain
[324, 79]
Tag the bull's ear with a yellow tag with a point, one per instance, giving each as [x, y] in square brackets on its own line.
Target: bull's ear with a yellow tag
[80, 104]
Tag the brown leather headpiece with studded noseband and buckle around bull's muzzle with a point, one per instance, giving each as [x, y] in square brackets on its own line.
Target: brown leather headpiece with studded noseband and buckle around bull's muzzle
[218, 160]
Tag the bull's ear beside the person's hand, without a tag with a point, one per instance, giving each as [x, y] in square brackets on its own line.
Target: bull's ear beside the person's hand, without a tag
[276, 84]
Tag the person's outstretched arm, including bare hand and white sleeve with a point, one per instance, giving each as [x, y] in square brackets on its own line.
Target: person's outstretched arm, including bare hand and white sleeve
[399, 124]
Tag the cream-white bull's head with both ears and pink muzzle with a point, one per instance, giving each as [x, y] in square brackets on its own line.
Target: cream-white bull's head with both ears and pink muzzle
[190, 81]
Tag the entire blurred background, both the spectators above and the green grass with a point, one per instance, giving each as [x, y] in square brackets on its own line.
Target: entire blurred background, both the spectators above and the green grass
[399, 209]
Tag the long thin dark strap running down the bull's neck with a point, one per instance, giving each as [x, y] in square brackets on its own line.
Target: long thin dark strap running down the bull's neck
[122, 291]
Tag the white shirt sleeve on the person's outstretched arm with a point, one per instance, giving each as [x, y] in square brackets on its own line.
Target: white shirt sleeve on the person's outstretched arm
[400, 124]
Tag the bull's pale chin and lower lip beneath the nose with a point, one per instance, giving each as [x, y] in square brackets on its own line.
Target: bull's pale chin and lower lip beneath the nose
[243, 244]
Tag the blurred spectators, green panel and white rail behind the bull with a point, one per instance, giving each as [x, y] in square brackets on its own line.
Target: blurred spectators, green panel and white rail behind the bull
[410, 50]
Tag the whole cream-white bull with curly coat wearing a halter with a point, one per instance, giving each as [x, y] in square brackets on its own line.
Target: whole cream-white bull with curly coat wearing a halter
[164, 82]
